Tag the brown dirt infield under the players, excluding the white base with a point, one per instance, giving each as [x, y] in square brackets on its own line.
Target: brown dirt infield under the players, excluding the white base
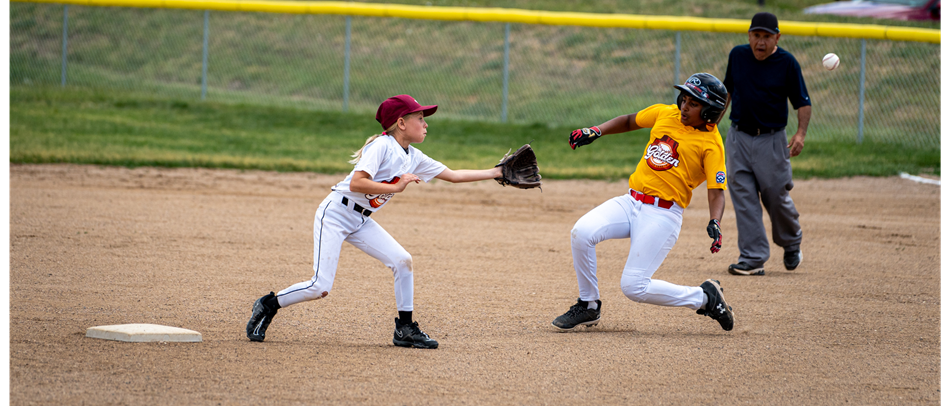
[857, 323]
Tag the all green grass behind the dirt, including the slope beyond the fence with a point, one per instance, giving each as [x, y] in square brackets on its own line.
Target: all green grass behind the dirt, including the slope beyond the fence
[275, 87]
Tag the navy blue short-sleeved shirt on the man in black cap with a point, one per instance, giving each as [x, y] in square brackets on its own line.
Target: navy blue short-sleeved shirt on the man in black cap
[759, 88]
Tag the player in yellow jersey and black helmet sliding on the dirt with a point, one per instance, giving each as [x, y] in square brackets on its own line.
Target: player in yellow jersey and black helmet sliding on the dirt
[684, 150]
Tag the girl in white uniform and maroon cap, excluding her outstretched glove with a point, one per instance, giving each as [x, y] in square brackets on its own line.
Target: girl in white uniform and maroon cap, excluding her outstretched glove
[385, 165]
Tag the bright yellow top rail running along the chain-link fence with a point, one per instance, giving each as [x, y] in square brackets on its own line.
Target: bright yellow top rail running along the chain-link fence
[508, 15]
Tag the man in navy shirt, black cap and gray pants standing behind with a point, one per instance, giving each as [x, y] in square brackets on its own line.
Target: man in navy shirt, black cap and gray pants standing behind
[761, 79]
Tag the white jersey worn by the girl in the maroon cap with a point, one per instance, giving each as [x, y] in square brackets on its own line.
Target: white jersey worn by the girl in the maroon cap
[385, 161]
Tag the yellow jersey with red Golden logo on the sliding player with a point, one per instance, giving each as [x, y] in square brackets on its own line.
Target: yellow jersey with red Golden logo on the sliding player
[678, 158]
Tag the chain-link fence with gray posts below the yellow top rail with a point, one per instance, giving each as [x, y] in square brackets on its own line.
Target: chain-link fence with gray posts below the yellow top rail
[555, 75]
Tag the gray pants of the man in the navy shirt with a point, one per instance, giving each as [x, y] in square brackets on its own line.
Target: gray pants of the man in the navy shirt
[760, 169]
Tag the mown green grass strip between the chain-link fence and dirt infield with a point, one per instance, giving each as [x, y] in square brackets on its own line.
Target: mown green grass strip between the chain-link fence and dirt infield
[108, 127]
